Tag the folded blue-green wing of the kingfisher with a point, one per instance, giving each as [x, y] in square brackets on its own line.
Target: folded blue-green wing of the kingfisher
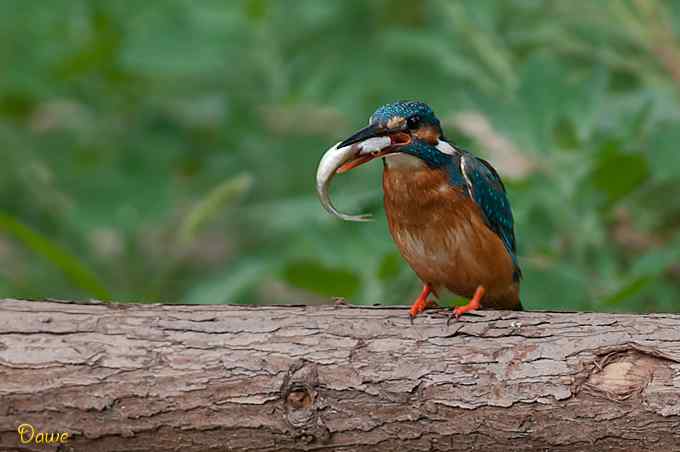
[486, 188]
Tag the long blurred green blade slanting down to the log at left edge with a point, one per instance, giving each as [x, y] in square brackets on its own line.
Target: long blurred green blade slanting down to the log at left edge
[75, 270]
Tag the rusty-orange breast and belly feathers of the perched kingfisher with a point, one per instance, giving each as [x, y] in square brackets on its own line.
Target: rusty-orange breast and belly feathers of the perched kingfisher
[441, 233]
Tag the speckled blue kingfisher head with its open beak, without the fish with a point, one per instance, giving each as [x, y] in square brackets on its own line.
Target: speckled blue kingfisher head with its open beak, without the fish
[412, 128]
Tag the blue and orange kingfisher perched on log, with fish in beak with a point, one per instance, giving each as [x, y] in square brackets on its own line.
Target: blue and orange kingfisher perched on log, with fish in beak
[447, 209]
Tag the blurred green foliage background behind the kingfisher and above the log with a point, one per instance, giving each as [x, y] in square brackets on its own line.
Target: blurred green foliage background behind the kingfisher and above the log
[166, 151]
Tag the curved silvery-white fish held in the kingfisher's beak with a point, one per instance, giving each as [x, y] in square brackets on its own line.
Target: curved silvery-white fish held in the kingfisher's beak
[334, 159]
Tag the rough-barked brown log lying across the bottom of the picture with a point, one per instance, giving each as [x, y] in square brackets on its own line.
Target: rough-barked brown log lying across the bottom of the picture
[262, 378]
